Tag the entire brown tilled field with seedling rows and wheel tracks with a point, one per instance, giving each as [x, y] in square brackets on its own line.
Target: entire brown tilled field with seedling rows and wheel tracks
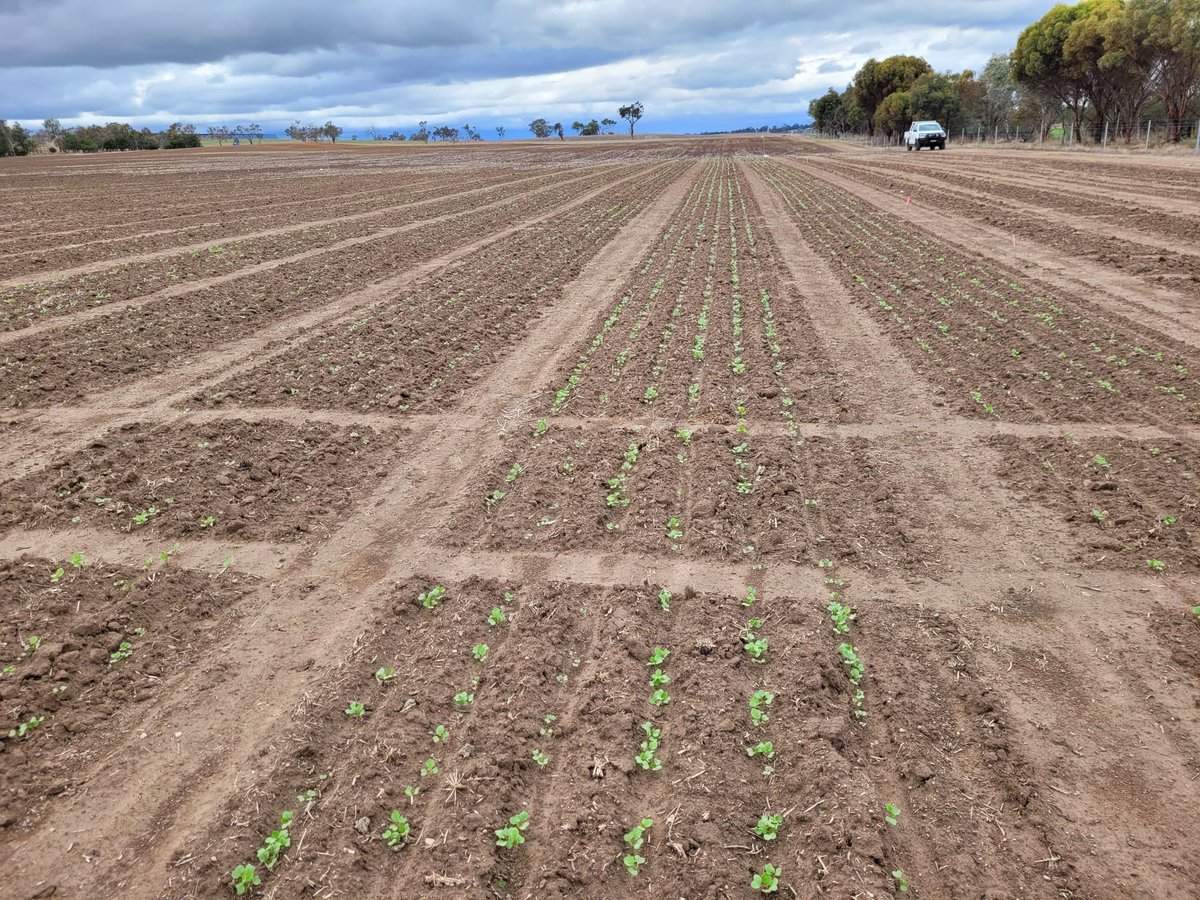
[706, 518]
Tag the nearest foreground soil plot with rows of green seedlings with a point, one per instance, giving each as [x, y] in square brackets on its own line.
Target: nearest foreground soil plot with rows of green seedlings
[555, 739]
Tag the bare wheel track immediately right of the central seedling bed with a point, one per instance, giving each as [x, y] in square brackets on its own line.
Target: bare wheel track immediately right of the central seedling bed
[1000, 549]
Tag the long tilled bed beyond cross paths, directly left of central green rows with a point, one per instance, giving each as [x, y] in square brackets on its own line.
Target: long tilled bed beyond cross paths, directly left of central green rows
[427, 344]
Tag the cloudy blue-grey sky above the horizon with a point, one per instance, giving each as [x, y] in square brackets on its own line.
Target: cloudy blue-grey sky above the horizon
[695, 64]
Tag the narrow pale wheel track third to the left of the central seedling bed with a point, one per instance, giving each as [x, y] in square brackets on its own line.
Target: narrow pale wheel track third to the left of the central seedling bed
[94, 313]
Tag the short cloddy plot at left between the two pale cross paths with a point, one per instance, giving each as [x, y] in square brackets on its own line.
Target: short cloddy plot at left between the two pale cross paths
[255, 482]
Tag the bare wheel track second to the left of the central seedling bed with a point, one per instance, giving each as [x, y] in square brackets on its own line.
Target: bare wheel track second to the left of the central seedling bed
[47, 433]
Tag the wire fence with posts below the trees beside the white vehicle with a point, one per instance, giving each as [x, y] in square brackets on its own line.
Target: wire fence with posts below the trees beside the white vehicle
[1149, 136]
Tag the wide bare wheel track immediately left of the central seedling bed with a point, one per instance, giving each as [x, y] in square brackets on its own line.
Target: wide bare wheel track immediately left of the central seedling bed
[175, 794]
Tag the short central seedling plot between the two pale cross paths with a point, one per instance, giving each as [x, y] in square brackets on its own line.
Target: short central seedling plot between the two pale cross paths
[695, 493]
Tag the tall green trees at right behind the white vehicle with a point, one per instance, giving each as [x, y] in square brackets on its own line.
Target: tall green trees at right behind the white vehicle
[1100, 64]
